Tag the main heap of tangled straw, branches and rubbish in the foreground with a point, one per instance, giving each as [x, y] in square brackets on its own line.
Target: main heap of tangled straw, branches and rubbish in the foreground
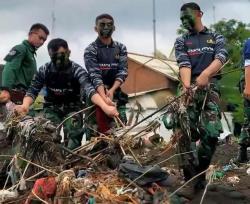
[113, 168]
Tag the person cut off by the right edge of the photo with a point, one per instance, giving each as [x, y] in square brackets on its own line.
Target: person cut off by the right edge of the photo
[245, 89]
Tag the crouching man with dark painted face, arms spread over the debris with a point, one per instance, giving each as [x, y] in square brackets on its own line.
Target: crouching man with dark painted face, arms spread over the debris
[64, 81]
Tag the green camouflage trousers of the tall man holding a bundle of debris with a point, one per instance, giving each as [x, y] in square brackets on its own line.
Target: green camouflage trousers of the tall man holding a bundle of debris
[202, 118]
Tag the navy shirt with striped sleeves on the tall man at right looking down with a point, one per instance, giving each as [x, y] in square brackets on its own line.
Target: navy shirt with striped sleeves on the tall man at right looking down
[198, 50]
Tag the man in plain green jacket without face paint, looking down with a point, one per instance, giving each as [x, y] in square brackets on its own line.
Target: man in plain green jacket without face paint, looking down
[20, 65]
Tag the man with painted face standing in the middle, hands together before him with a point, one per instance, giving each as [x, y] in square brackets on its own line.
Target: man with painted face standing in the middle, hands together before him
[106, 62]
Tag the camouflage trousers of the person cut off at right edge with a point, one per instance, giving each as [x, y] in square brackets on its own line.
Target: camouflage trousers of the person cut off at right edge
[244, 139]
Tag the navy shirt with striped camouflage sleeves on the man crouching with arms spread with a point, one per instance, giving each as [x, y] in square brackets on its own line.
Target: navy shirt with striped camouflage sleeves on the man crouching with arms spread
[61, 86]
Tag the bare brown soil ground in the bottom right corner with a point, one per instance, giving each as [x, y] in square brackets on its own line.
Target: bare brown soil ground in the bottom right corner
[221, 191]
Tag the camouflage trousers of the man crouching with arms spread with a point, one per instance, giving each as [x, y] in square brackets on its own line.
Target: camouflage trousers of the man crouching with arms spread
[73, 127]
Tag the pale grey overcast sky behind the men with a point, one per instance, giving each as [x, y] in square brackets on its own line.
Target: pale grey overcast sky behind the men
[133, 21]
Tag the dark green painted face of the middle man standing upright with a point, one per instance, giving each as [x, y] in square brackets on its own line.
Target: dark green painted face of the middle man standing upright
[105, 27]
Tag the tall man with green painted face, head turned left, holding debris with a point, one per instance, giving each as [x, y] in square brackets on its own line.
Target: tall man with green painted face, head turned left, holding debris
[200, 54]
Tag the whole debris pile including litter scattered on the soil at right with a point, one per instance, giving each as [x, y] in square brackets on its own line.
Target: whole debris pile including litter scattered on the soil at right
[126, 165]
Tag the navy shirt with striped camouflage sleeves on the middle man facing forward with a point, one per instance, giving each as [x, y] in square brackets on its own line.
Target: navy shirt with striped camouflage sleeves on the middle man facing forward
[106, 63]
